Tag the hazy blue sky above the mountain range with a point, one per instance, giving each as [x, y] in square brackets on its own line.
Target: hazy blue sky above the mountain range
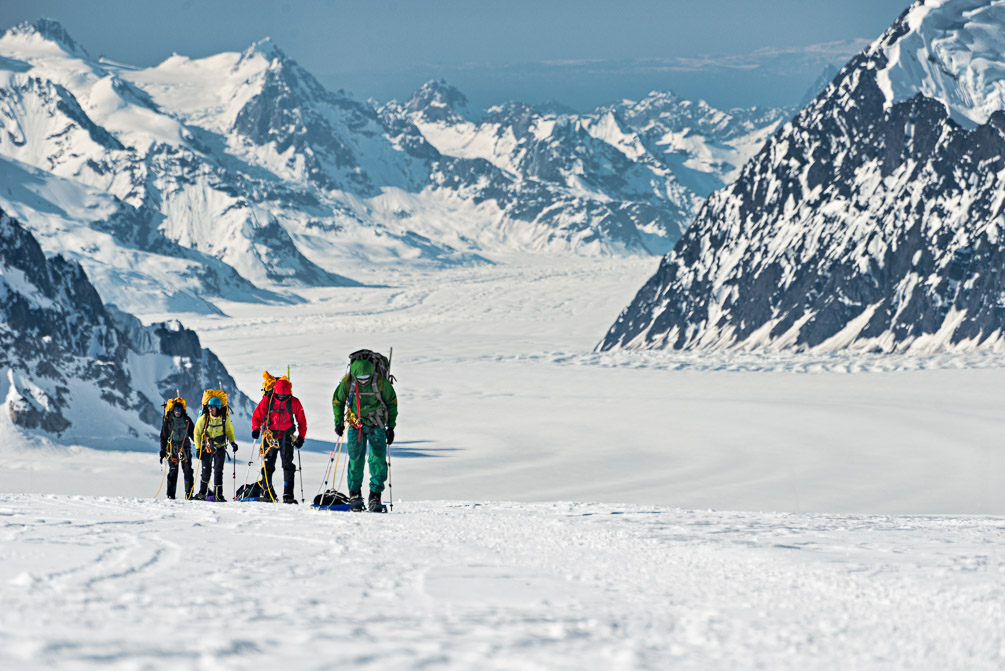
[583, 54]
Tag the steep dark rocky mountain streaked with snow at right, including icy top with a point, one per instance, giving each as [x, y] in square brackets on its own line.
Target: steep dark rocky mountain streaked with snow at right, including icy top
[872, 221]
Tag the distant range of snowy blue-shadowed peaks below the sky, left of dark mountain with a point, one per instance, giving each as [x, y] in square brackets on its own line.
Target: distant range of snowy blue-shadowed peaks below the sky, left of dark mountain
[240, 177]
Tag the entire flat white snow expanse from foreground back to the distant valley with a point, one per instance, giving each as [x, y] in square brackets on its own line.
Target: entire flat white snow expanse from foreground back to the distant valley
[507, 416]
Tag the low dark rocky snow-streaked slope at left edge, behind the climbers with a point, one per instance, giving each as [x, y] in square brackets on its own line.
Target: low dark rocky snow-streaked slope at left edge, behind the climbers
[83, 373]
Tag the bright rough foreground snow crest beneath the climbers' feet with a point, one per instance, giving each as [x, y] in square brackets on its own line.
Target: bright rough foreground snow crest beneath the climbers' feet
[123, 584]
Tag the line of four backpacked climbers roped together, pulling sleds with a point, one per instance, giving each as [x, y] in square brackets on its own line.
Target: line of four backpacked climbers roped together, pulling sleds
[366, 411]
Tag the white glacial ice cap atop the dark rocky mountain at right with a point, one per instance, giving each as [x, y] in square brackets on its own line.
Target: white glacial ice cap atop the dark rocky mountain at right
[949, 51]
